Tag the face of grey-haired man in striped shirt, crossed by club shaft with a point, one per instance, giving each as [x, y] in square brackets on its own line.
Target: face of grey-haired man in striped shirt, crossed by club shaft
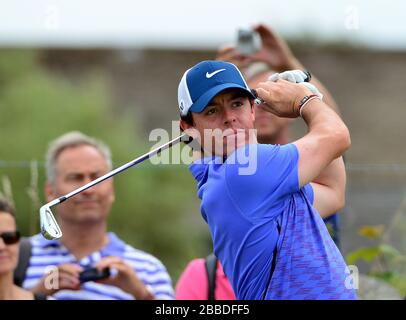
[75, 167]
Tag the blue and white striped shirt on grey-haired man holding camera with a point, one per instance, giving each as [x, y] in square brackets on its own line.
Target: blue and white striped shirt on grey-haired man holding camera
[149, 269]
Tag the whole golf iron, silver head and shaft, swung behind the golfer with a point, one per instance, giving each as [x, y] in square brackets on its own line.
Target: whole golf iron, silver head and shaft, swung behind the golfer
[50, 228]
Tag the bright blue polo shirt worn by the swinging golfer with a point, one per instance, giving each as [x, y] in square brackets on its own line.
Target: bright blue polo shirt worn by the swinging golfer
[251, 215]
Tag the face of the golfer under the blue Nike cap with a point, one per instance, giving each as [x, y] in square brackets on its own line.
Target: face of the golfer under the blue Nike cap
[226, 124]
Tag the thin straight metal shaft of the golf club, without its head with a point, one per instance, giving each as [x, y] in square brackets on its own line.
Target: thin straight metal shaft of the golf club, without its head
[120, 169]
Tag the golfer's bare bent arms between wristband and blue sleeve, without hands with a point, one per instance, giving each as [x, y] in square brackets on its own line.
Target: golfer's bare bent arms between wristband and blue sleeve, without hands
[320, 160]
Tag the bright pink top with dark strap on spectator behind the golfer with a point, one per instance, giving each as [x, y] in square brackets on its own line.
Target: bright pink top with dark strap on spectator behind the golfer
[193, 283]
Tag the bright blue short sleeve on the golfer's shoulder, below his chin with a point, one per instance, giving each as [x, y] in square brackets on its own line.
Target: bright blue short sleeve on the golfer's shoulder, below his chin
[273, 176]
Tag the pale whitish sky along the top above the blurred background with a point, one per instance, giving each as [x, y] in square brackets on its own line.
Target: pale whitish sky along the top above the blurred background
[195, 24]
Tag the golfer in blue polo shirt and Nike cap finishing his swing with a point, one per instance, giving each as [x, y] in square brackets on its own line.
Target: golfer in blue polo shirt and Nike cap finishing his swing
[263, 202]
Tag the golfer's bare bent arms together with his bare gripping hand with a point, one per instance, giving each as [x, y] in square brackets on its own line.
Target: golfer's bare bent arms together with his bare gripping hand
[320, 149]
